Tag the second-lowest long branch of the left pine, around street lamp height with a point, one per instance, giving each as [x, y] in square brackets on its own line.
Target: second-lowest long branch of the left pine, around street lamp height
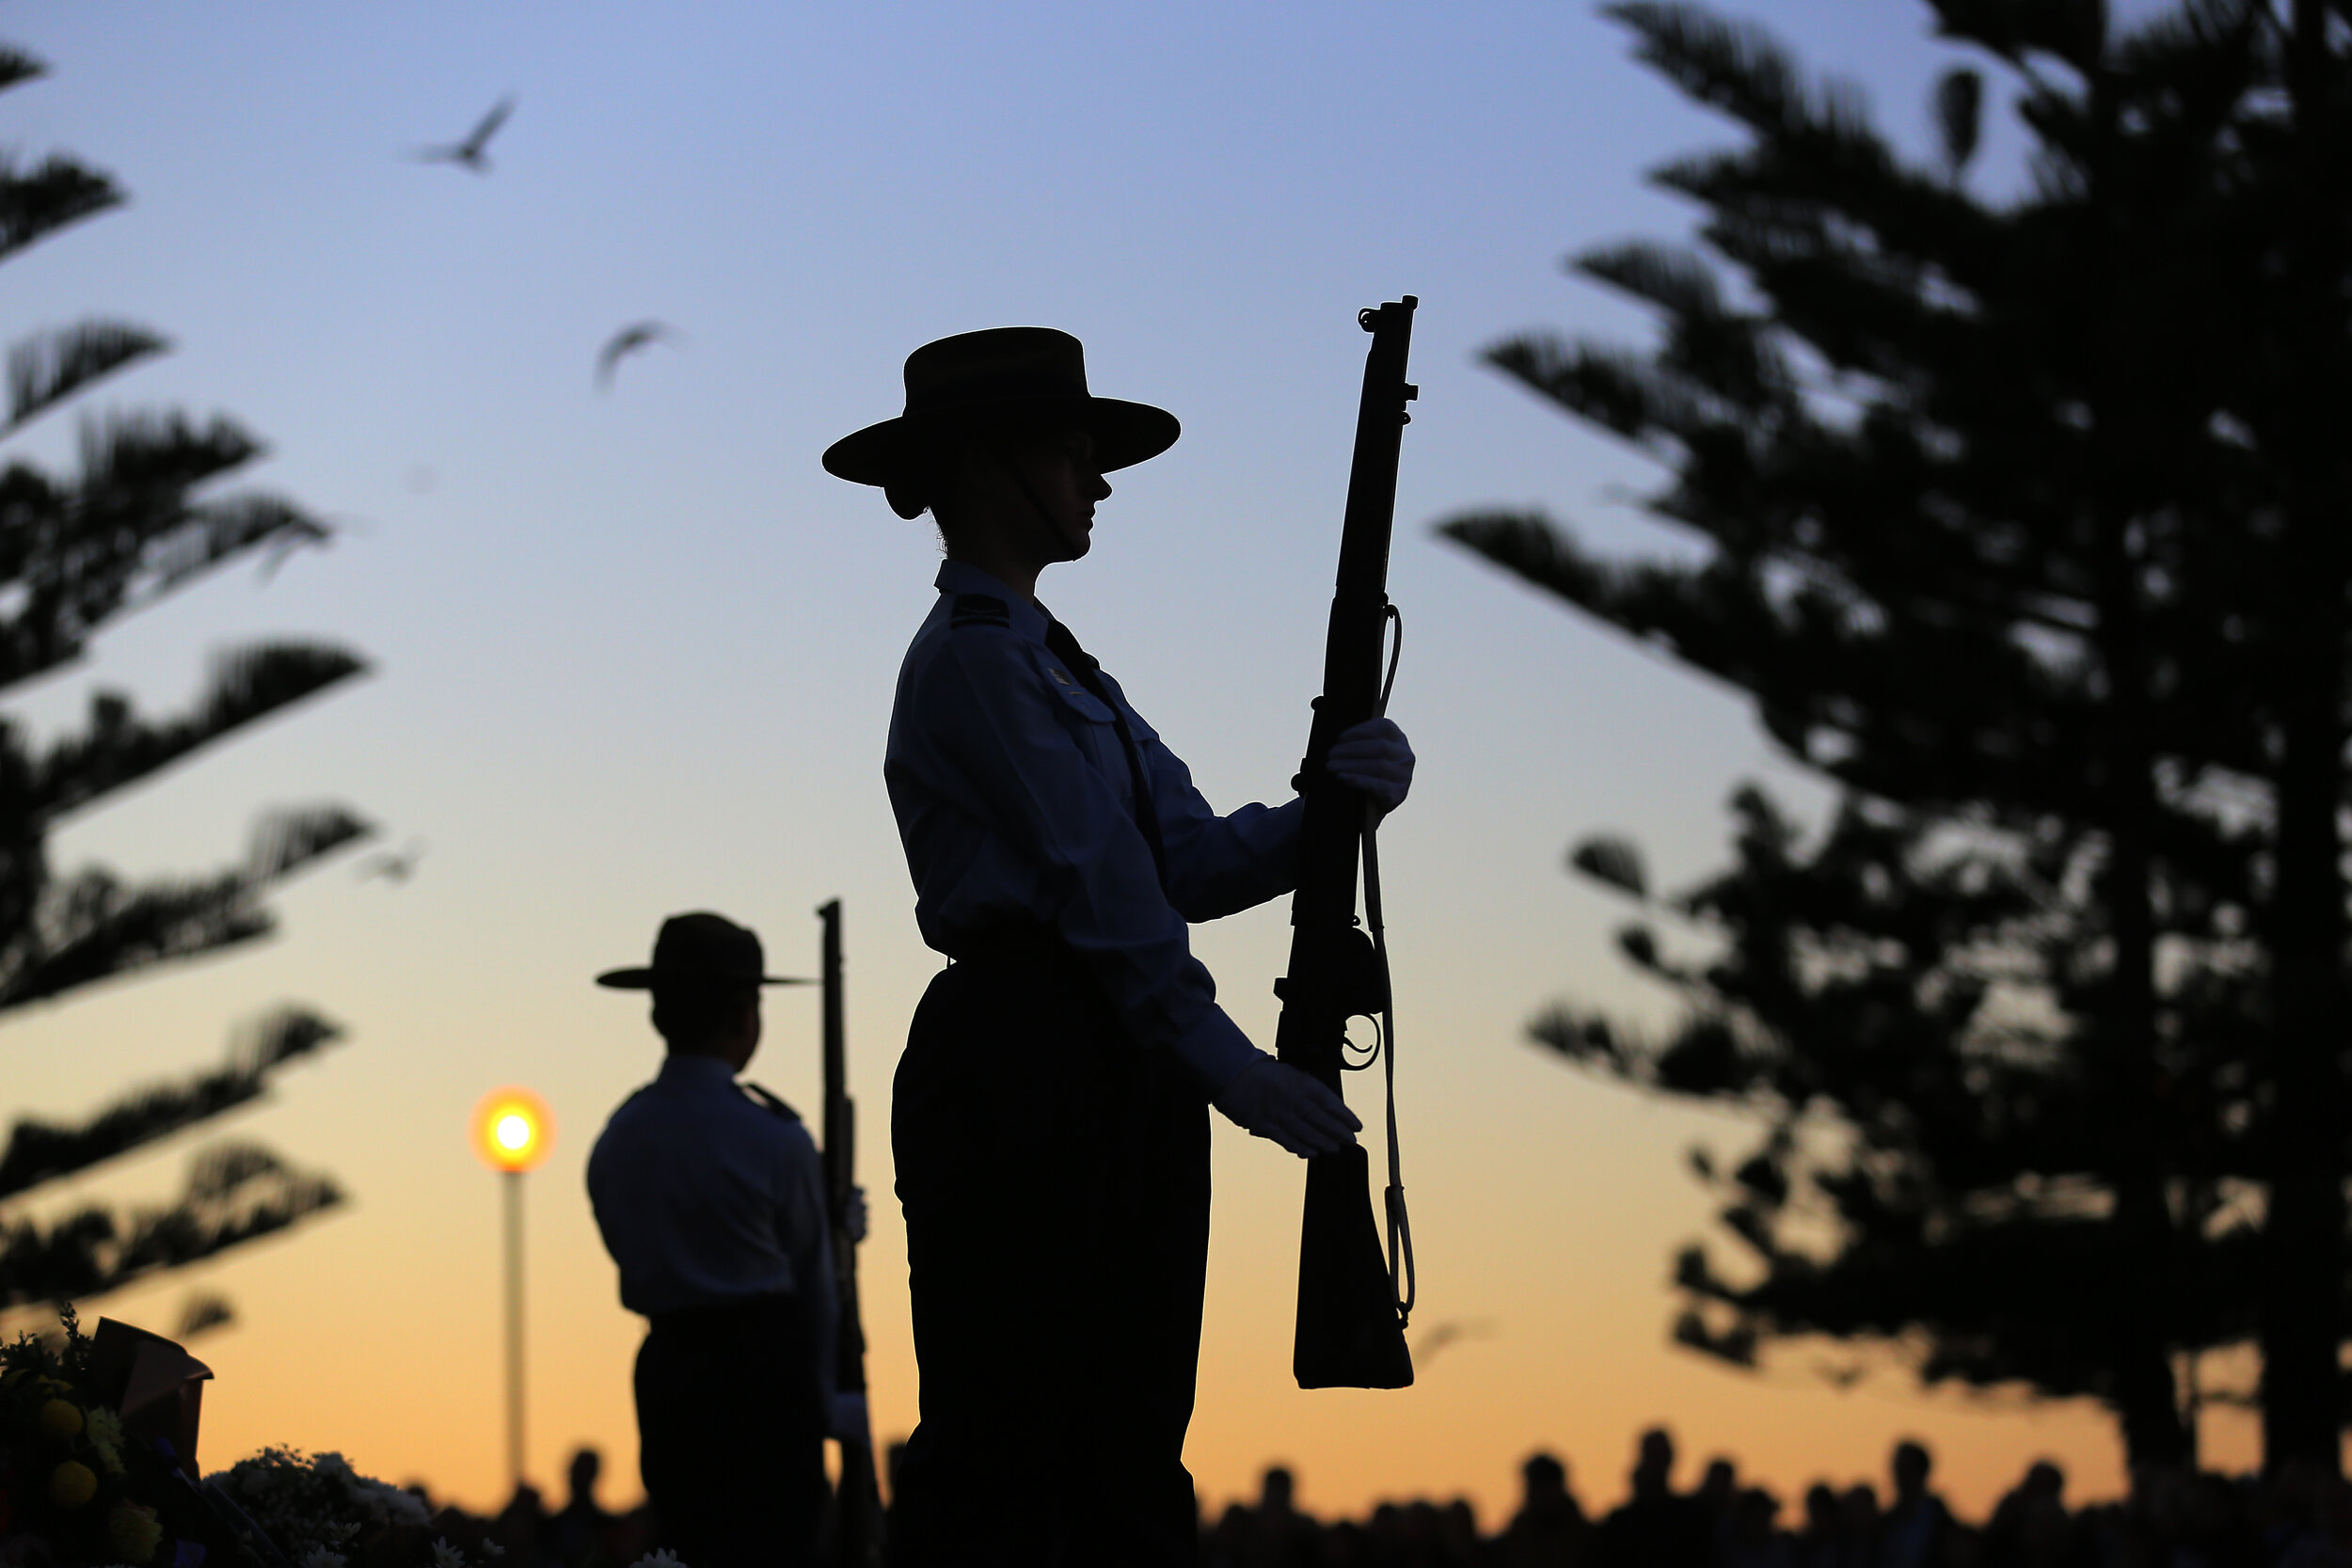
[41, 1153]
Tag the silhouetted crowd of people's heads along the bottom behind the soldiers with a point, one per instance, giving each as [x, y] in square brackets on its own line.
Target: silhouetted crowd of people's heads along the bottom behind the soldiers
[2172, 1520]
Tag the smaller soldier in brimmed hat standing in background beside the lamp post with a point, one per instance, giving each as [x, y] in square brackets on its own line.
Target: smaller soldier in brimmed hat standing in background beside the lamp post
[711, 1200]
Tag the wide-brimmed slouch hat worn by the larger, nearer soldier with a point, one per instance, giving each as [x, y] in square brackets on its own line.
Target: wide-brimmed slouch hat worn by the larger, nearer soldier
[1020, 375]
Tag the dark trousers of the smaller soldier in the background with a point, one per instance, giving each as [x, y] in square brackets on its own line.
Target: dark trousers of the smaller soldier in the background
[733, 1435]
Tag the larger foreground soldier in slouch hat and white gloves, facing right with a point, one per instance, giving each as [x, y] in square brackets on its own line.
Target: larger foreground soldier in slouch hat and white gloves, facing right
[1050, 1118]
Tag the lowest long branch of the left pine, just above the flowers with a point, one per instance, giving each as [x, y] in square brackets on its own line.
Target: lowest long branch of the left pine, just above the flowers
[236, 1193]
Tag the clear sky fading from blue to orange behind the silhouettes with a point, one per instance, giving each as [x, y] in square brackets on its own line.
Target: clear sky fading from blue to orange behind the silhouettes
[636, 650]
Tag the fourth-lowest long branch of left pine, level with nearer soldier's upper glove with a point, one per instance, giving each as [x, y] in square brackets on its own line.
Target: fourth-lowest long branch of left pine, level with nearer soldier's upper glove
[119, 749]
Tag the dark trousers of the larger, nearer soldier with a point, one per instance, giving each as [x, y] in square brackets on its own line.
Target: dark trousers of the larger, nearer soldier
[1055, 1179]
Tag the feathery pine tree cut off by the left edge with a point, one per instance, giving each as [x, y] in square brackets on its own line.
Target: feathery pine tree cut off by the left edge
[138, 518]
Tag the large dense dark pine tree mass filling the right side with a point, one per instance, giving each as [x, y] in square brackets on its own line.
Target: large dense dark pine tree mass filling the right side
[1993, 507]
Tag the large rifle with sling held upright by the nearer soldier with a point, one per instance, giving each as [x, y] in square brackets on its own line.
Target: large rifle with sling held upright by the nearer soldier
[1354, 1304]
